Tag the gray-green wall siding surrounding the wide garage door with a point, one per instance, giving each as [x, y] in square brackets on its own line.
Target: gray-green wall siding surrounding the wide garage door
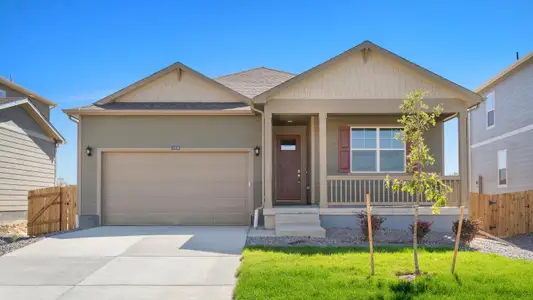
[162, 132]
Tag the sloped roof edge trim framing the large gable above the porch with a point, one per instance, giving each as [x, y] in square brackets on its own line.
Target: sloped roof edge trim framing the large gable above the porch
[470, 96]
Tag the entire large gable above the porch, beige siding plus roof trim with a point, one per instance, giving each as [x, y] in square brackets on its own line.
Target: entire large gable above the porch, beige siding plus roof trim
[367, 71]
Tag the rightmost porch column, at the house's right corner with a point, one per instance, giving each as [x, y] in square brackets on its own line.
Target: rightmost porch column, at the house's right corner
[463, 156]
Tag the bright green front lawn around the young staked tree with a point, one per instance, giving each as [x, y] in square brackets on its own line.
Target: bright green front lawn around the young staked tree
[344, 273]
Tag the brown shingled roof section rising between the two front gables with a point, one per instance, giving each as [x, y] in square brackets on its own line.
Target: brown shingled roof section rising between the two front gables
[253, 82]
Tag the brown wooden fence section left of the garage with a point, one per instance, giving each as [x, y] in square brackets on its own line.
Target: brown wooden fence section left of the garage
[51, 209]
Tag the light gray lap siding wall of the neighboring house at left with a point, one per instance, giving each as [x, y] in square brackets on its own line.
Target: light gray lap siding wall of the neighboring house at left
[27, 159]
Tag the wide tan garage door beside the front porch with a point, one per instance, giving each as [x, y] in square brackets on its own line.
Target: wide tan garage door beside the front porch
[178, 188]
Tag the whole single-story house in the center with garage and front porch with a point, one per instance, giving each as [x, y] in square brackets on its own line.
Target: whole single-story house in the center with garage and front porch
[295, 153]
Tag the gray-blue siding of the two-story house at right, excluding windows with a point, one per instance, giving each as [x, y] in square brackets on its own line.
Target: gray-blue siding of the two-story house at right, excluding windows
[513, 110]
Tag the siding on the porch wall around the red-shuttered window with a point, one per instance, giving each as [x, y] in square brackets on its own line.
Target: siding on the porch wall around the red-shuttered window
[434, 139]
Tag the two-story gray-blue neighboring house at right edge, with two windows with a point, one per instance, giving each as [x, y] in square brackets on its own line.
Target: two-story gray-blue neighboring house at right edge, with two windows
[502, 132]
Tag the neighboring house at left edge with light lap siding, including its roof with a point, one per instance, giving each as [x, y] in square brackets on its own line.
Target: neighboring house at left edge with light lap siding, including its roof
[28, 143]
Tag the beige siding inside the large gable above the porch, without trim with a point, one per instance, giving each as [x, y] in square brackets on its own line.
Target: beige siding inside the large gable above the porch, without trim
[378, 77]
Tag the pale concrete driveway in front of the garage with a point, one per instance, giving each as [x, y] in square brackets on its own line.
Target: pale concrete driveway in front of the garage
[126, 262]
